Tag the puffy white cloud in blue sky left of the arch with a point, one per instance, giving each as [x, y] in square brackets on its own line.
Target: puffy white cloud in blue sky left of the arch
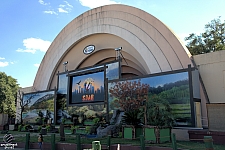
[34, 44]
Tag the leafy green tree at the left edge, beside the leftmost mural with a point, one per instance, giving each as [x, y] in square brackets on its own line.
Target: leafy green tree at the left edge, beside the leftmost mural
[8, 91]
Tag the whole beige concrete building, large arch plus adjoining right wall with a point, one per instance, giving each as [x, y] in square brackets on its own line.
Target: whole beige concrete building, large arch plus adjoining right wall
[148, 46]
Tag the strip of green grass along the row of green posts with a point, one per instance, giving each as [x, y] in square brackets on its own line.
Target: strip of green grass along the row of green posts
[70, 138]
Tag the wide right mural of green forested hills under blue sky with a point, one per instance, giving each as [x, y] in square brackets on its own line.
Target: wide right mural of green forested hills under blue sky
[172, 89]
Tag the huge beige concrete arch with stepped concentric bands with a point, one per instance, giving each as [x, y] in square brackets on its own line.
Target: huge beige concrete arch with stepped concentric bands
[148, 45]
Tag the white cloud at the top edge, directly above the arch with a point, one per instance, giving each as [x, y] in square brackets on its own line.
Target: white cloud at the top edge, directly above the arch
[94, 4]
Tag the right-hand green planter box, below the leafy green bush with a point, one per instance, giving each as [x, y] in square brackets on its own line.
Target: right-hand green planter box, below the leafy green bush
[157, 135]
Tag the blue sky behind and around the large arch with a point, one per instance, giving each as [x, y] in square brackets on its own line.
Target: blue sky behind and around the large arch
[27, 27]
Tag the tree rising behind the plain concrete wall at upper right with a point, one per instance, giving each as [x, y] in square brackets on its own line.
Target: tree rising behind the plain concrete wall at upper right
[211, 40]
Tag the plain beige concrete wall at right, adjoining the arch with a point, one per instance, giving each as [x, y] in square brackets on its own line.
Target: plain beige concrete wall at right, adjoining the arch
[211, 67]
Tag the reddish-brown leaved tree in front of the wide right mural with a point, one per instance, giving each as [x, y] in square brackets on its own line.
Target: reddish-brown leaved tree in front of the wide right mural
[130, 96]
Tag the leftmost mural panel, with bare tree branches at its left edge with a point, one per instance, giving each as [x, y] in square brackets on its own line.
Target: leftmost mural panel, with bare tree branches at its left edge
[38, 106]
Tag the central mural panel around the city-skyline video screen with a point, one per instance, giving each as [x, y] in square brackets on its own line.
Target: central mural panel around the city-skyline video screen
[83, 110]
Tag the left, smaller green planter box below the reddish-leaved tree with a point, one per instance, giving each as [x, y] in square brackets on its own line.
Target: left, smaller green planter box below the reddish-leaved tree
[132, 132]
